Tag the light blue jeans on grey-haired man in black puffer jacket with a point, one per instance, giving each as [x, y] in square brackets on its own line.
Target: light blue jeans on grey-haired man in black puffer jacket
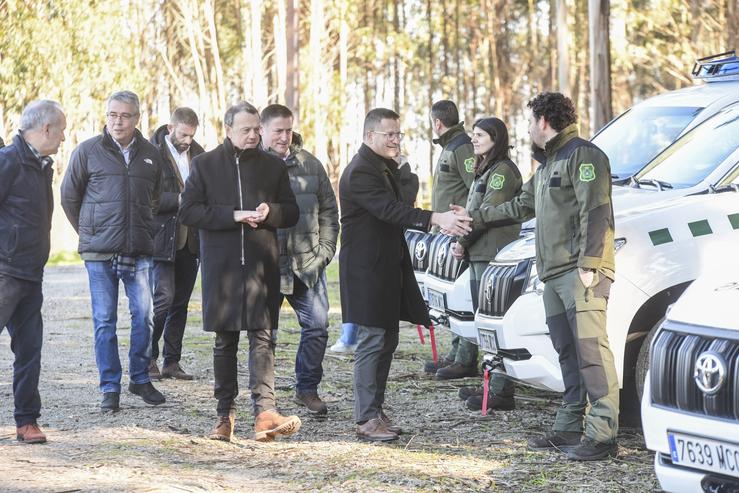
[104, 296]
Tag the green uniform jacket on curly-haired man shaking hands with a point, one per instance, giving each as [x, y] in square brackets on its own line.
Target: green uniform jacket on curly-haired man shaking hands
[570, 195]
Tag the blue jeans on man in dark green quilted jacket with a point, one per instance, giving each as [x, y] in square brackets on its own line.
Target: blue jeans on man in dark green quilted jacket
[311, 308]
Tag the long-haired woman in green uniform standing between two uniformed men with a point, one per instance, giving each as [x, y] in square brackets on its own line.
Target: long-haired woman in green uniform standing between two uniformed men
[497, 180]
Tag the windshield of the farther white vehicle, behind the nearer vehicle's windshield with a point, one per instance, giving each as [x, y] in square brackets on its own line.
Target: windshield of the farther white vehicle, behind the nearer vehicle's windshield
[638, 135]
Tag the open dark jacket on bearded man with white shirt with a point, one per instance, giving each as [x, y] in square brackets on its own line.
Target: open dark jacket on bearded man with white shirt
[170, 234]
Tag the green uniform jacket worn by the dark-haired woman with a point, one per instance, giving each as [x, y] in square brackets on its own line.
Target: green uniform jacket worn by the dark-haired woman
[499, 183]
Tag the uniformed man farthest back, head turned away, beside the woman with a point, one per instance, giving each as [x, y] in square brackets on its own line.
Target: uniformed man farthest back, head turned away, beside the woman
[453, 176]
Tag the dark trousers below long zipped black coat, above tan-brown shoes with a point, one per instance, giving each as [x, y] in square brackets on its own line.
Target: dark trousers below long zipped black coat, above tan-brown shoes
[261, 370]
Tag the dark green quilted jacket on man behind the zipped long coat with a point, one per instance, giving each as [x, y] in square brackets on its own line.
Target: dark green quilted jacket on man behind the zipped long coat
[308, 247]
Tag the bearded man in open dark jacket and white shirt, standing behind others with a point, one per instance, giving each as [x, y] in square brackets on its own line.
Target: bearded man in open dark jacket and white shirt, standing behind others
[175, 245]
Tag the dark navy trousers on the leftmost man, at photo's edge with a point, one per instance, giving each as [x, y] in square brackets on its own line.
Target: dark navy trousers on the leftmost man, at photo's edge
[20, 312]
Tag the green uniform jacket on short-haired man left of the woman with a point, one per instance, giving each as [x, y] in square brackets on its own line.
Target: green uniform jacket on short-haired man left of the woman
[455, 169]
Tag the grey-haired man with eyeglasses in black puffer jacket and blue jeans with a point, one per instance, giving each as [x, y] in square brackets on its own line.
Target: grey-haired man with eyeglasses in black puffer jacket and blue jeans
[110, 194]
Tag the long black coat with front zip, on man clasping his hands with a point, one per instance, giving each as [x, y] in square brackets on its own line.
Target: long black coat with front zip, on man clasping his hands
[239, 265]
